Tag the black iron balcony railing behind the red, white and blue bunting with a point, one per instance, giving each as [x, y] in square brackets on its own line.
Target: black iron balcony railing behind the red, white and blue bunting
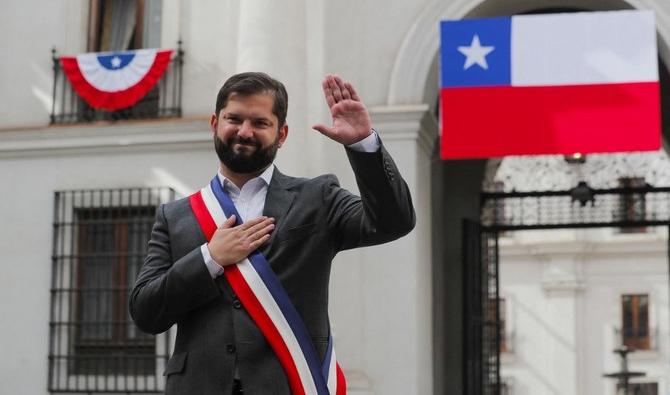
[163, 101]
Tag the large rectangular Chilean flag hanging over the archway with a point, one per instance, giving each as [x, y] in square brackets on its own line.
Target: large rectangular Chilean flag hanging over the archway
[549, 84]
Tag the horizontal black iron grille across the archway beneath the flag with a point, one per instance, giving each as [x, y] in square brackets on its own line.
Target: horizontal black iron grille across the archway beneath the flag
[580, 207]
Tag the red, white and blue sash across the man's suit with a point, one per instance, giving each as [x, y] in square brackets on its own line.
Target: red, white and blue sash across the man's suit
[268, 304]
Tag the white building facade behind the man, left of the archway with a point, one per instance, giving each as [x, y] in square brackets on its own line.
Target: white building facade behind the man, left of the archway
[396, 309]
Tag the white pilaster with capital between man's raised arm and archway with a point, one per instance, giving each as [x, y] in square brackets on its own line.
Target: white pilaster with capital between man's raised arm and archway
[398, 305]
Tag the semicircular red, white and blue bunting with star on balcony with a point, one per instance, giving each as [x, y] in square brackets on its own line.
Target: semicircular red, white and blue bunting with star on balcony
[115, 80]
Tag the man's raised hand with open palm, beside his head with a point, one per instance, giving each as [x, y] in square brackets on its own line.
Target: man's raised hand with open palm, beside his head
[351, 121]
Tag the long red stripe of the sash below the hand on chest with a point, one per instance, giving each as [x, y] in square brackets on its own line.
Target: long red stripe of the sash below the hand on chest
[266, 326]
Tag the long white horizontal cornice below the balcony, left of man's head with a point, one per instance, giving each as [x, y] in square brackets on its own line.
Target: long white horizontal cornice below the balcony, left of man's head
[105, 137]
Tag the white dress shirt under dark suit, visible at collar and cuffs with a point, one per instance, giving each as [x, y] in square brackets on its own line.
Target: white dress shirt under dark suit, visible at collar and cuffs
[250, 200]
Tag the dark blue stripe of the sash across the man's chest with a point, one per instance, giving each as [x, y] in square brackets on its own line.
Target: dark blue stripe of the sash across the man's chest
[271, 281]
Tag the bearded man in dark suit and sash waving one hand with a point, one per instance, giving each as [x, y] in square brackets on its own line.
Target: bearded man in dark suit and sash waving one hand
[249, 295]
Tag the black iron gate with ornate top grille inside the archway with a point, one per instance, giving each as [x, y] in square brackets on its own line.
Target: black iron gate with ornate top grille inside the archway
[630, 208]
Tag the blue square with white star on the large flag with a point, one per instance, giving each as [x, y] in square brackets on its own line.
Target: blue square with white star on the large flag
[475, 52]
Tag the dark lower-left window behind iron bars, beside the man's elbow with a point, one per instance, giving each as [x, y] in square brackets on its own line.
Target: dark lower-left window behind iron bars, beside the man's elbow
[110, 243]
